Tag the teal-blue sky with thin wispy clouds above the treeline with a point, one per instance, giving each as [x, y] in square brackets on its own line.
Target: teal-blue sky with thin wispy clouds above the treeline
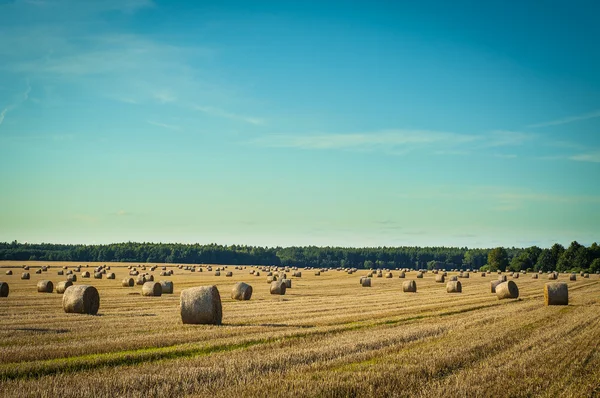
[293, 123]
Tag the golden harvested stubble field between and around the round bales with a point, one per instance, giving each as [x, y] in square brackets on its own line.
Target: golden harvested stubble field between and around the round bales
[326, 337]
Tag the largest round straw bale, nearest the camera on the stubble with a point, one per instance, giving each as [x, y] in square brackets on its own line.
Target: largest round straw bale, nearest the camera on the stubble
[201, 305]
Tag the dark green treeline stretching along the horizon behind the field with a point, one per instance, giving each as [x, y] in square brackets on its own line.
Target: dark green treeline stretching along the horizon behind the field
[558, 258]
